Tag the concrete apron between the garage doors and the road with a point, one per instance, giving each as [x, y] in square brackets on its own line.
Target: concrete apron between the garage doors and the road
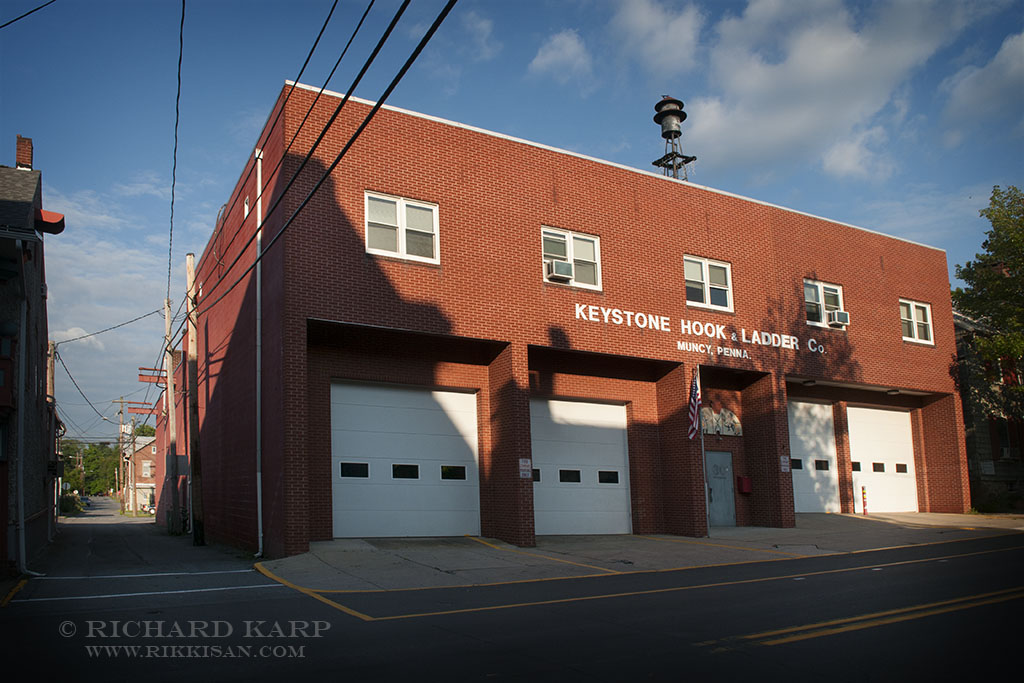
[373, 565]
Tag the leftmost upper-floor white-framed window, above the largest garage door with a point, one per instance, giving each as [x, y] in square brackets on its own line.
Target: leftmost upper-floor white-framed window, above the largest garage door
[398, 227]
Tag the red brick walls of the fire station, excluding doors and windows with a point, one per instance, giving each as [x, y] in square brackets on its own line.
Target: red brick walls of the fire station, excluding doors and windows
[494, 195]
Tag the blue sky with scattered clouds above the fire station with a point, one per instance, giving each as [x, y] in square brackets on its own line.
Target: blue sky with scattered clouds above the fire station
[897, 116]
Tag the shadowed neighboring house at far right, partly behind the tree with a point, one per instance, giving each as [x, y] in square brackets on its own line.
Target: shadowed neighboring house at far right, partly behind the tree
[995, 444]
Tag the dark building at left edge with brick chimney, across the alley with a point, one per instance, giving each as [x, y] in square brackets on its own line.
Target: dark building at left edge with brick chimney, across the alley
[29, 422]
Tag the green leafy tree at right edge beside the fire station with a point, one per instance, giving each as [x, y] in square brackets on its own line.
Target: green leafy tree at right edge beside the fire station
[994, 297]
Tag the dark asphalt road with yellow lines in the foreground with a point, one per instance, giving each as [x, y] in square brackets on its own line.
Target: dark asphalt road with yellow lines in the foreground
[122, 602]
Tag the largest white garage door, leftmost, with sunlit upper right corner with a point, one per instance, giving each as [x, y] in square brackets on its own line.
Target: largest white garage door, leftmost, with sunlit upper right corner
[404, 462]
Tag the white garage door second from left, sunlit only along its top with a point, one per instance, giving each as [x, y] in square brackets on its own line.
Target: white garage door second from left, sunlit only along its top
[581, 476]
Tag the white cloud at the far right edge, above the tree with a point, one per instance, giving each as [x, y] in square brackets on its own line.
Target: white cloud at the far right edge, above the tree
[992, 93]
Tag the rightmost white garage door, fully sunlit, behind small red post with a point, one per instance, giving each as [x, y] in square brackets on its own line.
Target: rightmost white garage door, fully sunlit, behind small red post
[882, 455]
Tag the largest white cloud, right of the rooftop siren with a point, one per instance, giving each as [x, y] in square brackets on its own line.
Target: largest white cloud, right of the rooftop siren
[797, 76]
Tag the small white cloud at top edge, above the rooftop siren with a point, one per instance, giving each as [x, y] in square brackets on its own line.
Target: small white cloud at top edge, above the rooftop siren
[663, 40]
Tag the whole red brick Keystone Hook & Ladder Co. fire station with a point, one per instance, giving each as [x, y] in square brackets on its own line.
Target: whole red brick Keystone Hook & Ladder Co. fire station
[465, 333]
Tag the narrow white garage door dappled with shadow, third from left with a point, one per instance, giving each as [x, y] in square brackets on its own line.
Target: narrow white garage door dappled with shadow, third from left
[813, 457]
